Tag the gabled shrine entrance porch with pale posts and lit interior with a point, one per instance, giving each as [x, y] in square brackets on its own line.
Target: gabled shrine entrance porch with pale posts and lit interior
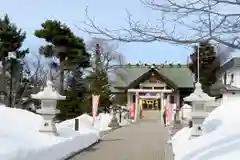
[149, 92]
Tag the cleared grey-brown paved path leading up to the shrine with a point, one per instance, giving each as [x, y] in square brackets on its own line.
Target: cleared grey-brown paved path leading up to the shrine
[145, 140]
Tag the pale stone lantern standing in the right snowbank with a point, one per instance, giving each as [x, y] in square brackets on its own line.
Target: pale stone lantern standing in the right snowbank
[198, 98]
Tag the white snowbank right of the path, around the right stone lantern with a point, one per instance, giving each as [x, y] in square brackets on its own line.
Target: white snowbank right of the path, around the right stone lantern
[221, 138]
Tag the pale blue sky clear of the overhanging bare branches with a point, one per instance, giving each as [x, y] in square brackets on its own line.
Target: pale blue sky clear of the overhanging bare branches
[29, 14]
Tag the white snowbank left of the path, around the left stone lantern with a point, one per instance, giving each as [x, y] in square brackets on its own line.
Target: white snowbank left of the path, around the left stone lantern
[20, 139]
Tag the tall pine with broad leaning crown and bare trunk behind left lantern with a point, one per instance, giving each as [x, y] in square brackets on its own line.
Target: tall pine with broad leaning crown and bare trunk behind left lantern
[64, 45]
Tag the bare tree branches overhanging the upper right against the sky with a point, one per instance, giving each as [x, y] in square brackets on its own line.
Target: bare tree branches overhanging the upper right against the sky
[179, 22]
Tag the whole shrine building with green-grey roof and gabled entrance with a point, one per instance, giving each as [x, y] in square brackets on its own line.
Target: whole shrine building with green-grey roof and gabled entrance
[146, 86]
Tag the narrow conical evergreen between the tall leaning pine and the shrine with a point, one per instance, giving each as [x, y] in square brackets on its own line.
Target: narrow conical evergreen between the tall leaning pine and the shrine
[99, 81]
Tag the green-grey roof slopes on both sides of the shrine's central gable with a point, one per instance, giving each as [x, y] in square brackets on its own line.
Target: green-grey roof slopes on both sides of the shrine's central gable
[180, 75]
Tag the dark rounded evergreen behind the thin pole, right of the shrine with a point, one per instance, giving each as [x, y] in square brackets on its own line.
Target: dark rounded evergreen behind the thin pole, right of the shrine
[208, 66]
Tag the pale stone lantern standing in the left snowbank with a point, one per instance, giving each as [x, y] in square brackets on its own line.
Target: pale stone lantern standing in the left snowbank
[48, 110]
